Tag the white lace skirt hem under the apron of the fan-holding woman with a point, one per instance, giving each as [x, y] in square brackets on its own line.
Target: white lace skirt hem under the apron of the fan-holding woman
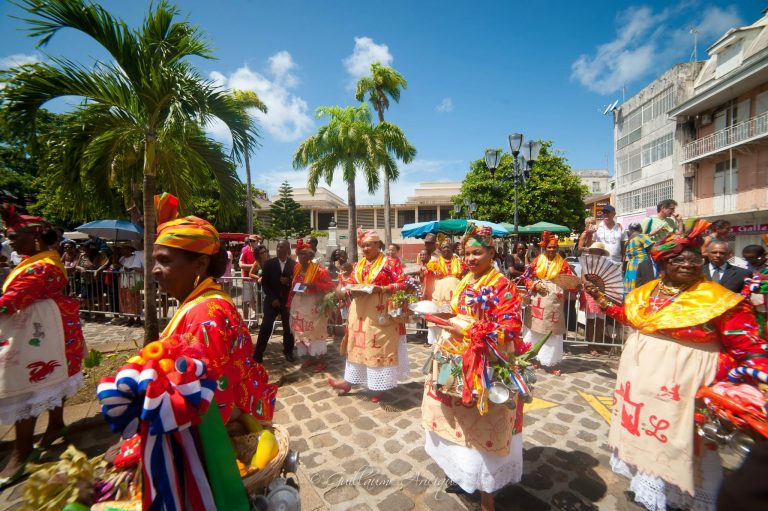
[655, 494]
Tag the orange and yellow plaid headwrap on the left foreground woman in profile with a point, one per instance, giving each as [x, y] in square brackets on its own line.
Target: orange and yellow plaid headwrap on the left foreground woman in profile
[189, 233]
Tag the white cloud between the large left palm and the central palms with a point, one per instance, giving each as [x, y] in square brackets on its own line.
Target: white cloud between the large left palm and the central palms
[286, 119]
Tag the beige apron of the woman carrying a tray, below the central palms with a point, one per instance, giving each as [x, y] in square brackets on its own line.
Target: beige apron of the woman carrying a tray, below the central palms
[372, 336]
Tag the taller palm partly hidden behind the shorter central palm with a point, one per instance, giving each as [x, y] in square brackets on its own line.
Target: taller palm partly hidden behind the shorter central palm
[384, 83]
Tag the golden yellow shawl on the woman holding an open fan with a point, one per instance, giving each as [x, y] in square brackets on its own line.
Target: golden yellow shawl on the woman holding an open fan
[696, 305]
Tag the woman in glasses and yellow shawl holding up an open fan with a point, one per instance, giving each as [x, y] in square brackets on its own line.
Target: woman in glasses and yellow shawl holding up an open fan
[688, 332]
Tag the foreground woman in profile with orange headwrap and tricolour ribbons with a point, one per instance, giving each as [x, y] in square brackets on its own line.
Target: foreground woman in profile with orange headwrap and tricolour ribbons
[203, 357]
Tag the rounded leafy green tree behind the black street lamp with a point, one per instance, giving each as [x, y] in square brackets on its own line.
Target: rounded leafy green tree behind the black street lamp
[552, 194]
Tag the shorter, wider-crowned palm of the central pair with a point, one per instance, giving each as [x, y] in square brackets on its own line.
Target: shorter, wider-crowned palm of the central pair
[351, 143]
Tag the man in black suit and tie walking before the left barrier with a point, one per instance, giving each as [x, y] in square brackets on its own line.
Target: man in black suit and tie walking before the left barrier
[276, 277]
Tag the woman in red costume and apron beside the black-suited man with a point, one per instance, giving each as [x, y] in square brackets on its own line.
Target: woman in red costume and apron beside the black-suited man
[309, 325]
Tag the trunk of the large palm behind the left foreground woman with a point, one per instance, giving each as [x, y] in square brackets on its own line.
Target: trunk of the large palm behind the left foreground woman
[151, 330]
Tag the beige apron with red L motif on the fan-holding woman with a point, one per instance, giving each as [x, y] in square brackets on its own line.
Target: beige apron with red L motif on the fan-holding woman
[652, 426]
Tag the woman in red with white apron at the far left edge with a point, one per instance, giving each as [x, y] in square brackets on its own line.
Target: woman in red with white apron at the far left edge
[41, 341]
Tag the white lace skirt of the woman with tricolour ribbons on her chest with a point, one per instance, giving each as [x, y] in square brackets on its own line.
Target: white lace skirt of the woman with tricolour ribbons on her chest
[476, 470]
